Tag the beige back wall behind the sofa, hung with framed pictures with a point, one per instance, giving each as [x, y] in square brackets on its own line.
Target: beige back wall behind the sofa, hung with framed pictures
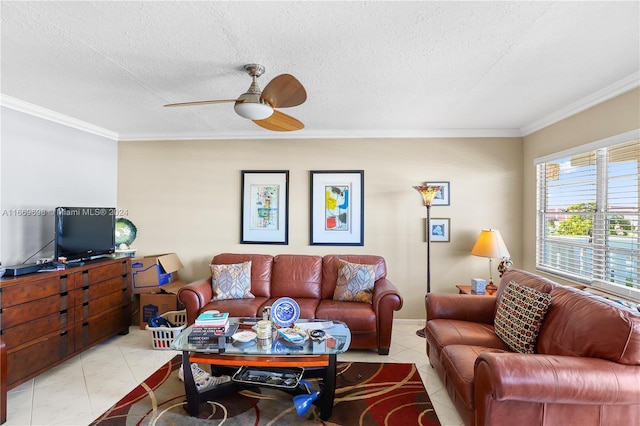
[184, 197]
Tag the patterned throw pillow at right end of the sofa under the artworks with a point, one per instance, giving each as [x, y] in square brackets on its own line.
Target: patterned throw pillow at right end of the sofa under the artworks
[355, 282]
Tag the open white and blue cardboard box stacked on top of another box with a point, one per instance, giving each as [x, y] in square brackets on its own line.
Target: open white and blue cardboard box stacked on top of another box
[151, 273]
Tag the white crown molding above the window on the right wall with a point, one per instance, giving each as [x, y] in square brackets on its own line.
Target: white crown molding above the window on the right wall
[626, 84]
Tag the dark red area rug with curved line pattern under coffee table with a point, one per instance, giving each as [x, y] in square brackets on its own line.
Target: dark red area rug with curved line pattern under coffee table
[366, 394]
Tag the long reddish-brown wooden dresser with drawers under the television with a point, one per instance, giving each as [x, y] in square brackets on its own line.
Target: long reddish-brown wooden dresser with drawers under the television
[48, 317]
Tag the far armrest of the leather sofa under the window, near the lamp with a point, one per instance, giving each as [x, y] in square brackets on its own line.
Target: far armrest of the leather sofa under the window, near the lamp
[460, 307]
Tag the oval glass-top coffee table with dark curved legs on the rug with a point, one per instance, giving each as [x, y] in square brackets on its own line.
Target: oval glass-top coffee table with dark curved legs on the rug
[317, 355]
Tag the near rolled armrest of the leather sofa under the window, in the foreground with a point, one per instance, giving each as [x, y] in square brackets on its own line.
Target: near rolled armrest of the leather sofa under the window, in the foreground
[554, 379]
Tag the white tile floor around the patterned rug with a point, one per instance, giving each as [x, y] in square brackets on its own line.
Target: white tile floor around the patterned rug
[81, 389]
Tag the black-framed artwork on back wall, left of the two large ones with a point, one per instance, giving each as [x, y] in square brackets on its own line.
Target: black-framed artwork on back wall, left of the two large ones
[265, 207]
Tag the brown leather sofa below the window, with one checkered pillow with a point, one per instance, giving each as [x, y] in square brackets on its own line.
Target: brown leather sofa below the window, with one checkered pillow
[585, 370]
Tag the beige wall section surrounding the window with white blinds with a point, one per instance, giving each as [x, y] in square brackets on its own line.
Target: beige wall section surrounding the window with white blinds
[616, 116]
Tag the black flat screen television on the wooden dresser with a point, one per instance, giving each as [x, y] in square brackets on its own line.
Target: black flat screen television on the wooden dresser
[84, 233]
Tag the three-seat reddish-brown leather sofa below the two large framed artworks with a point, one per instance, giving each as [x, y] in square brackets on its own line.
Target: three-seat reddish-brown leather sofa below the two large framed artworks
[310, 281]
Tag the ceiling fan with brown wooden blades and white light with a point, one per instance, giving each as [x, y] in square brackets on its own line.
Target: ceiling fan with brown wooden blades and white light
[283, 91]
